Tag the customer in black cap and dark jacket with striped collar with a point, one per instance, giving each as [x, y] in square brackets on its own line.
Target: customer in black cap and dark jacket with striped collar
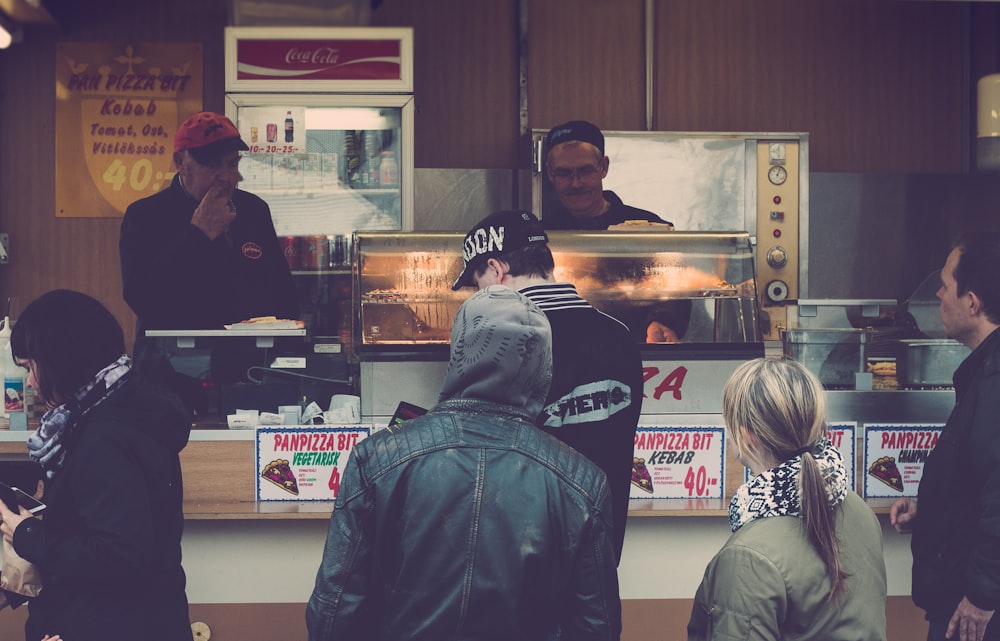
[596, 394]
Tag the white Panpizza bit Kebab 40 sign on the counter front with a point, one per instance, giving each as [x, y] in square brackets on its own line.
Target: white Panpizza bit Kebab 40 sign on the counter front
[678, 463]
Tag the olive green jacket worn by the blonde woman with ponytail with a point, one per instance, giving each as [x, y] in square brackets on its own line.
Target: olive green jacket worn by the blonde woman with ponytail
[768, 582]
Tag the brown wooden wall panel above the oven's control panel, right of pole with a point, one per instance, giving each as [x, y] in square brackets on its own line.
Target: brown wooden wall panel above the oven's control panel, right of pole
[879, 86]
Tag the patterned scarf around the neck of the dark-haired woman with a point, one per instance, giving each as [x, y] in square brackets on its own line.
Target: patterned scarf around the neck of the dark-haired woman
[47, 445]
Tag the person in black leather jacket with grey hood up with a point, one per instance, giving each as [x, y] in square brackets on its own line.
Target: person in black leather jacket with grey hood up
[469, 522]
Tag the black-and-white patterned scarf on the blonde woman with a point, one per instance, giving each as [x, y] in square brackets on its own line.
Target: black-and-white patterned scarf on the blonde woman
[776, 491]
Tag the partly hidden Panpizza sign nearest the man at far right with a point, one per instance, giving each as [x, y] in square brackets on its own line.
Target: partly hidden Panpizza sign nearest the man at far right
[894, 458]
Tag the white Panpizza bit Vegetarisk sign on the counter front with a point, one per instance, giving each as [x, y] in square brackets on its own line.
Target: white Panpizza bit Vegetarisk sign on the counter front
[303, 463]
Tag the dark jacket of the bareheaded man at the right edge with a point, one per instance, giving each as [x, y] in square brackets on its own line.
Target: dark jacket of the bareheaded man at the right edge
[956, 537]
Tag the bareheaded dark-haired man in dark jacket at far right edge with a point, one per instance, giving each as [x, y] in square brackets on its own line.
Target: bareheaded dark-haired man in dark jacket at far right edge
[956, 536]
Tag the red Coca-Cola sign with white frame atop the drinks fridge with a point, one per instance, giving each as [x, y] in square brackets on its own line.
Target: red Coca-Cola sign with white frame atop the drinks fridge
[344, 59]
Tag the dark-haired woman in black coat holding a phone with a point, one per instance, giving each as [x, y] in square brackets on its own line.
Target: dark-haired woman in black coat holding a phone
[109, 544]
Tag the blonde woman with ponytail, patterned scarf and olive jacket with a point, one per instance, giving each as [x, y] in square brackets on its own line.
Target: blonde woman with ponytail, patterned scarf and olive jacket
[805, 557]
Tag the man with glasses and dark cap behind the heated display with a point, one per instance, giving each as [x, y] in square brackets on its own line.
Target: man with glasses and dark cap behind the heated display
[576, 165]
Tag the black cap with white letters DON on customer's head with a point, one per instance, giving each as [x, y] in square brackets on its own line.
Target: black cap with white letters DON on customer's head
[495, 235]
